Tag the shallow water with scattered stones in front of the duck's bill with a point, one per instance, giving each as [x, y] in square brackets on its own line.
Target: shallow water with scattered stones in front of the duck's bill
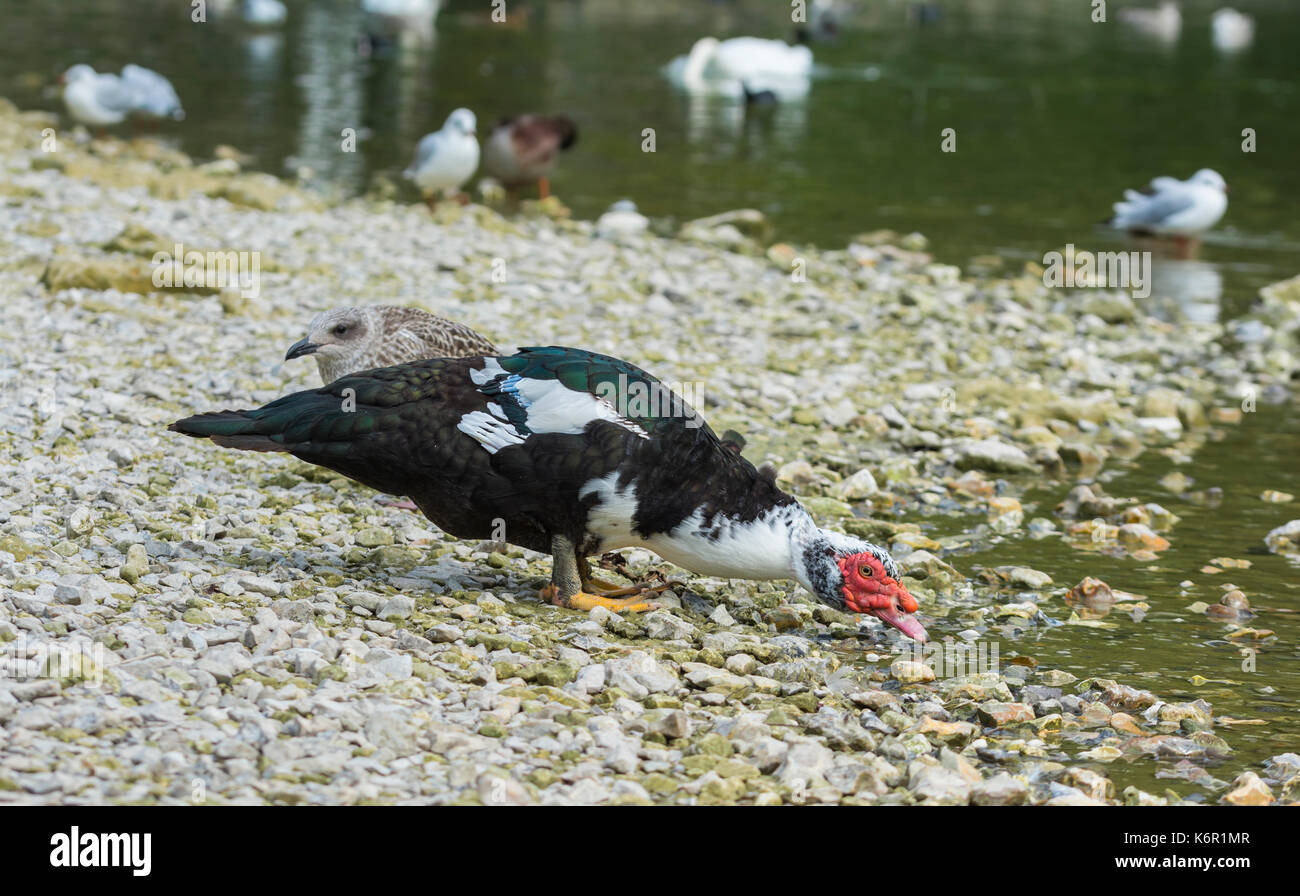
[1164, 650]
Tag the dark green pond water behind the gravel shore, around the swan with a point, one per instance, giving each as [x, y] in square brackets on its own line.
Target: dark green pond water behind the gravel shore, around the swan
[1055, 115]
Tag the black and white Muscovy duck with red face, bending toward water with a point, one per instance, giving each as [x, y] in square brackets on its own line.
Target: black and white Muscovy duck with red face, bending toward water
[579, 455]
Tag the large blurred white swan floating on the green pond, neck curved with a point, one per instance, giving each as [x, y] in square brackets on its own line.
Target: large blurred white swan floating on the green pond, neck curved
[727, 68]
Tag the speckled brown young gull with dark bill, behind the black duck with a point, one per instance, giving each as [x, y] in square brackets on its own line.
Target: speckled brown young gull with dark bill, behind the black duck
[358, 339]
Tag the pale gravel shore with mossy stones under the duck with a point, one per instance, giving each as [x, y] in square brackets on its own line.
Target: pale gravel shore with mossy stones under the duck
[187, 625]
